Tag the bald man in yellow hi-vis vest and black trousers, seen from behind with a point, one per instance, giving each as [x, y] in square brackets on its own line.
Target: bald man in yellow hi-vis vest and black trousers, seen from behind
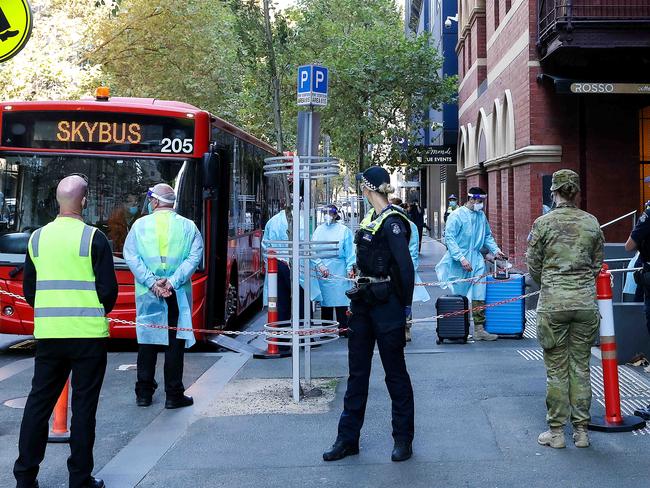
[69, 279]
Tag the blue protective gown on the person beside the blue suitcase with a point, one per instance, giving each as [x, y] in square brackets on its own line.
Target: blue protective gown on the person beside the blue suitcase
[466, 233]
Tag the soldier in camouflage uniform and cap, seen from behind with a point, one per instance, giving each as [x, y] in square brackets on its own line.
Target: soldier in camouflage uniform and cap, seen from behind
[565, 254]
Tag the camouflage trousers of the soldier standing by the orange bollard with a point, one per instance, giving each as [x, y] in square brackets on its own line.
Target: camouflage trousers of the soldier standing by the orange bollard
[566, 338]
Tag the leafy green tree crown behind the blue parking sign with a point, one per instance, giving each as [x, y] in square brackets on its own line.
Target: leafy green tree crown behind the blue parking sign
[380, 80]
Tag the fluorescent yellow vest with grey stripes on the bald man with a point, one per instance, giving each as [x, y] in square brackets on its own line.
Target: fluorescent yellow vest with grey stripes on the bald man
[66, 303]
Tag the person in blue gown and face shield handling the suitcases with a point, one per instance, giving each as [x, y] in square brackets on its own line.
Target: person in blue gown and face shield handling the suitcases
[466, 233]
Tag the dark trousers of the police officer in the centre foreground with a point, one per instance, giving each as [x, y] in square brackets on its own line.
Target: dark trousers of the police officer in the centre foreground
[383, 324]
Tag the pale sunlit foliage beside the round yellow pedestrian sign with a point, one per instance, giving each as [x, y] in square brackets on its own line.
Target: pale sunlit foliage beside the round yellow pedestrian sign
[53, 65]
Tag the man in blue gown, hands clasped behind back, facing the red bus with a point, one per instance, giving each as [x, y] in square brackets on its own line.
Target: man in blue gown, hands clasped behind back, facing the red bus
[163, 250]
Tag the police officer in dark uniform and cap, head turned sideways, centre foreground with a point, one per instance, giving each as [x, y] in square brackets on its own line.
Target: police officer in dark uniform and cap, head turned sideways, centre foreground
[379, 304]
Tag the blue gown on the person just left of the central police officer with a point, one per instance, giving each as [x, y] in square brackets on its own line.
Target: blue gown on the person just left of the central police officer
[333, 289]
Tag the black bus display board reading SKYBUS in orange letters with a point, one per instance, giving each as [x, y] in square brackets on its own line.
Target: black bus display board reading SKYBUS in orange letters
[97, 132]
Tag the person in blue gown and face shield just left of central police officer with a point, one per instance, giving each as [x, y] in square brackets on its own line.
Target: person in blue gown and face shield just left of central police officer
[334, 271]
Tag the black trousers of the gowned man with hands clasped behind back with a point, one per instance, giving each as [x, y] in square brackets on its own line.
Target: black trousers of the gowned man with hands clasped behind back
[174, 356]
